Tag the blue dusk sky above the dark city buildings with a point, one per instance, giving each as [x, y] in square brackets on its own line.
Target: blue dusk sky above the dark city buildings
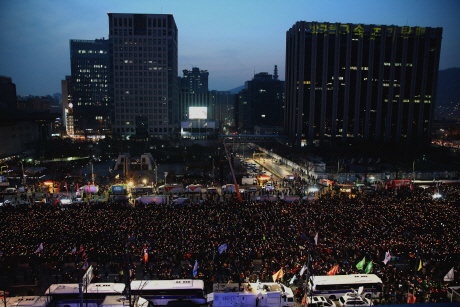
[231, 39]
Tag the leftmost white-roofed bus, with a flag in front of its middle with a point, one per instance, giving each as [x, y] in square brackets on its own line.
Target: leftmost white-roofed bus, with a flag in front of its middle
[68, 295]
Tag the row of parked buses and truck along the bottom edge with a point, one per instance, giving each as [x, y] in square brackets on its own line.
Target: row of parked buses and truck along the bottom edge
[151, 293]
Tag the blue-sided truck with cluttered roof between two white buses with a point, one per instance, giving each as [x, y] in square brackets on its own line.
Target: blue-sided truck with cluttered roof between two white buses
[261, 294]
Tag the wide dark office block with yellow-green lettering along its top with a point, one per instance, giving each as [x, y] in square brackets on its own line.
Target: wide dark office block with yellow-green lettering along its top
[354, 82]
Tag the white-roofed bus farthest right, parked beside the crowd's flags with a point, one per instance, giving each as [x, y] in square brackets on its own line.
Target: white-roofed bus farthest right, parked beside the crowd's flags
[334, 286]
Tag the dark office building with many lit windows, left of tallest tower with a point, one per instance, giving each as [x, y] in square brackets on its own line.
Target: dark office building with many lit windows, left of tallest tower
[90, 84]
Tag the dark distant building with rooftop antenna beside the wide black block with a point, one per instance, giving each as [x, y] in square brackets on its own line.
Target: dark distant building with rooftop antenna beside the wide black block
[261, 102]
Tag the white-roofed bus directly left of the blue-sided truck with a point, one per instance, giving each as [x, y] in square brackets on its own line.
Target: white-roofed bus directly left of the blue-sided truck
[160, 292]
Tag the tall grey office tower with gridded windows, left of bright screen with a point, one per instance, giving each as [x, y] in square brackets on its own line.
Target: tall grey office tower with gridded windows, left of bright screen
[145, 83]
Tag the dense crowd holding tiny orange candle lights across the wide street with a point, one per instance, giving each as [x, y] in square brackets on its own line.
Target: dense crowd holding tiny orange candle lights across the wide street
[278, 233]
